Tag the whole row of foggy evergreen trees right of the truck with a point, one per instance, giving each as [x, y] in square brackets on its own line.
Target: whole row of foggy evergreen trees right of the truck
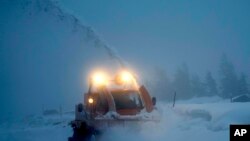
[187, 85]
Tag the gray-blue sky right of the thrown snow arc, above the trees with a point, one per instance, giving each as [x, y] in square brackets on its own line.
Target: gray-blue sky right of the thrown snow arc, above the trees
[195, 32]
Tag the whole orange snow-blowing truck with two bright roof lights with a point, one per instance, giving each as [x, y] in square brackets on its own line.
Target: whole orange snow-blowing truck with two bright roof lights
[116, 101]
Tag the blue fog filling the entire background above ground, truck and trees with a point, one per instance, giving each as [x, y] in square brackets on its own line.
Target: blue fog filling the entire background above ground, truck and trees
[49, 47]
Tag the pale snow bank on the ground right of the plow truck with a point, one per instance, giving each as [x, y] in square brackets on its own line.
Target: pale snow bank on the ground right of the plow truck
[188, 121]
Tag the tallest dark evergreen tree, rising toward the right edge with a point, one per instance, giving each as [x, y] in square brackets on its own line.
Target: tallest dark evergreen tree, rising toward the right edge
[229, 81]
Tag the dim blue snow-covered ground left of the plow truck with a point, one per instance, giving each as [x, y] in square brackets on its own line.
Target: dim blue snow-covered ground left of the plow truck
[37, 128]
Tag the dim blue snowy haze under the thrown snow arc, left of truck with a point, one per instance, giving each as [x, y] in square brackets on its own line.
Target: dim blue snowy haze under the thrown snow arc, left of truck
[46, 54]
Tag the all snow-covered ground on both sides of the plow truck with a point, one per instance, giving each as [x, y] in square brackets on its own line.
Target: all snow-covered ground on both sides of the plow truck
[198, 119]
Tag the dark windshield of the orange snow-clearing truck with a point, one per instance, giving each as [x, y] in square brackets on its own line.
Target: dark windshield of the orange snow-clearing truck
[127, 100]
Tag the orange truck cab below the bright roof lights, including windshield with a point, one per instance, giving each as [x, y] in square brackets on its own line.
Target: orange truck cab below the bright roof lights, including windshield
[121, 101]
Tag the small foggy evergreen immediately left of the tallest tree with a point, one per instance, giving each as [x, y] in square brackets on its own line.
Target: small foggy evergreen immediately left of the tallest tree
[211, 86]
